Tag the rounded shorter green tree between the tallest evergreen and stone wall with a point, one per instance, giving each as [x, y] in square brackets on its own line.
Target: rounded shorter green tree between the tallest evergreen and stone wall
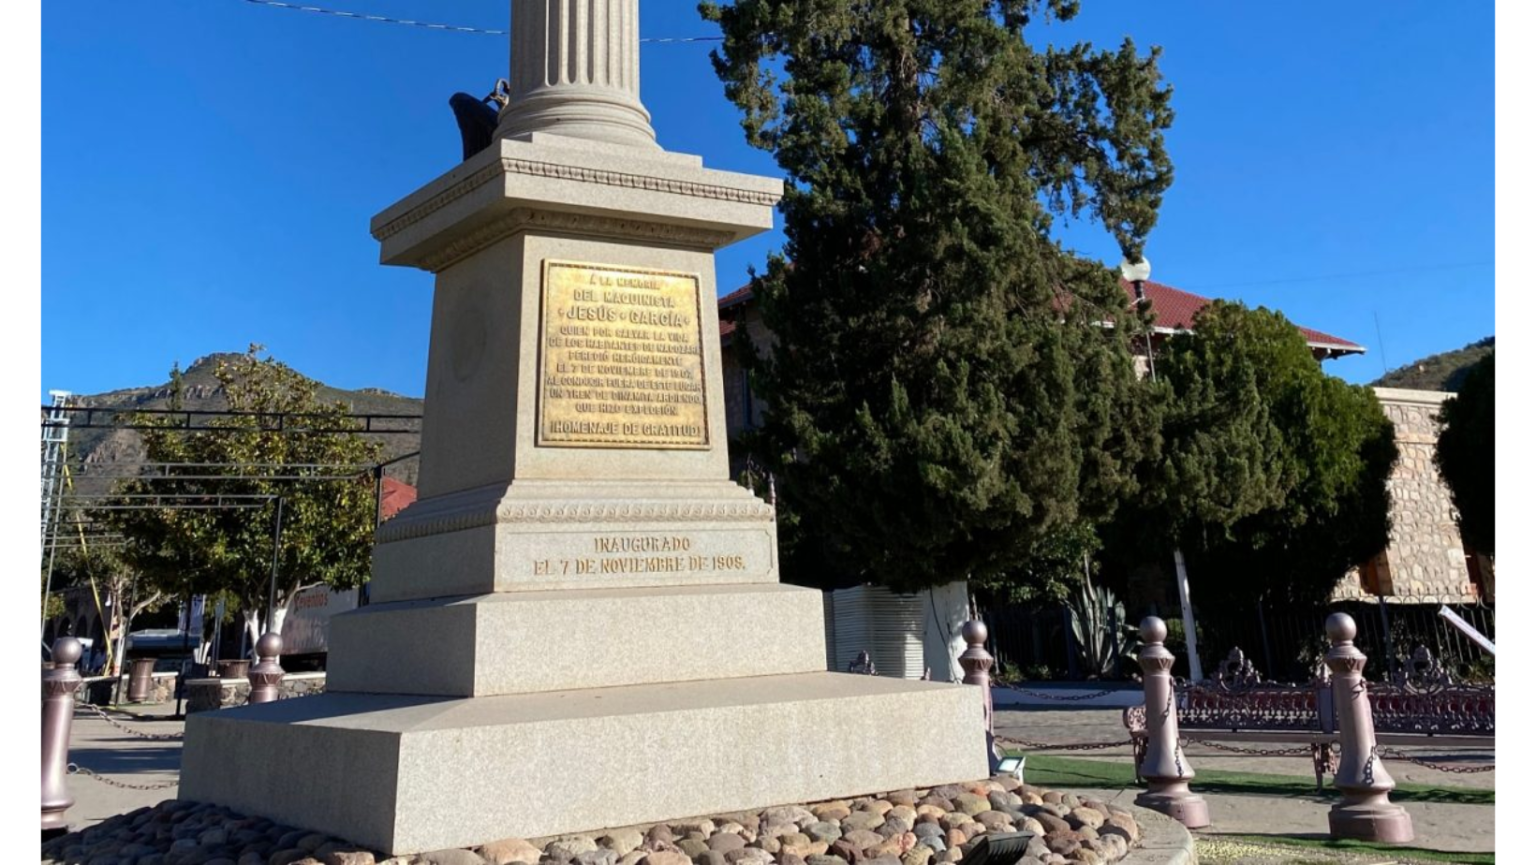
[1274, 474]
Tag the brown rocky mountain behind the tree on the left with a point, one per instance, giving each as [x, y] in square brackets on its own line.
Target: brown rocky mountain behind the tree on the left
[98, 456]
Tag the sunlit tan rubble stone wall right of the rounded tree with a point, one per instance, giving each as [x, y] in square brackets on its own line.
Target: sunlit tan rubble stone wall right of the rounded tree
[1425, 560]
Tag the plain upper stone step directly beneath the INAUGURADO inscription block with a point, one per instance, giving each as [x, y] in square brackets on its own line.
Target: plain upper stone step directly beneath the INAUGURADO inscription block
[555, 641]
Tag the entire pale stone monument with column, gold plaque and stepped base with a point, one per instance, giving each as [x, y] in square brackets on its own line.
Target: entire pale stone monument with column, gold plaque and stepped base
[580, 625]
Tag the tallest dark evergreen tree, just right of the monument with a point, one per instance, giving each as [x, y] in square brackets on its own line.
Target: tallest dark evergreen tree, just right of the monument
[948, 393]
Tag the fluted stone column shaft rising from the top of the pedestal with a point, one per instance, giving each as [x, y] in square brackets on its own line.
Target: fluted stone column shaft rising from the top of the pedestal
[577, 73]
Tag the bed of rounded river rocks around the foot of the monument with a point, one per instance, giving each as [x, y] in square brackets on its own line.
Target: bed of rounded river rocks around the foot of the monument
[905, 827]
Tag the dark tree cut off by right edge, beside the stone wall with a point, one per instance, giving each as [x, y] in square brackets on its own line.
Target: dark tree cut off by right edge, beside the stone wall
[1465, 456]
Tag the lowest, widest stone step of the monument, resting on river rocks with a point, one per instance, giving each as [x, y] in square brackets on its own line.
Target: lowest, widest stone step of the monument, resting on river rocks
[408, 775]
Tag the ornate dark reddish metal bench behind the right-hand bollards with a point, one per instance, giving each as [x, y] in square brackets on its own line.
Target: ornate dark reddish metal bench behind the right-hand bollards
[1423, 703]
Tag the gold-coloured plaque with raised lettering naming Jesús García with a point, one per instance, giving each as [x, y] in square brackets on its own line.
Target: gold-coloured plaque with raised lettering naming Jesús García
[621, 359]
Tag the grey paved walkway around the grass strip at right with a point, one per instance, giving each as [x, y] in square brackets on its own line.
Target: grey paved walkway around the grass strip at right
[1438, 826]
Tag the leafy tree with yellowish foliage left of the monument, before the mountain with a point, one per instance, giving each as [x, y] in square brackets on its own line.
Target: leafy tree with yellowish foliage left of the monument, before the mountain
[236, 469]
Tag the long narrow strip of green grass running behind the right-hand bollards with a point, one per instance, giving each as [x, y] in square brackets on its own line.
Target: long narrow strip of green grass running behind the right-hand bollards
[1071, 772]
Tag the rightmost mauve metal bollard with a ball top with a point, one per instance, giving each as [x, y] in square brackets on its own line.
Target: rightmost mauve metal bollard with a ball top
[1365, 812]
